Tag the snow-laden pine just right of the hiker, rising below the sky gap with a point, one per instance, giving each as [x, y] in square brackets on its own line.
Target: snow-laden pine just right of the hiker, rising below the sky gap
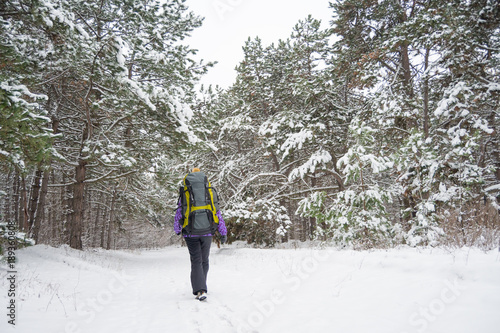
[281, 131]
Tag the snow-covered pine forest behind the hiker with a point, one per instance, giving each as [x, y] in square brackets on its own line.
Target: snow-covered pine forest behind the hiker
[378, 131]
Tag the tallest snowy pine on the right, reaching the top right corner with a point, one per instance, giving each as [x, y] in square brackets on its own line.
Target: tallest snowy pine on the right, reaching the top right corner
[420, 65]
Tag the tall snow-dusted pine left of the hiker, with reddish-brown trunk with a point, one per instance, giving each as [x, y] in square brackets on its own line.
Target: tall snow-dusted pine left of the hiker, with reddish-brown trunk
[117, 81]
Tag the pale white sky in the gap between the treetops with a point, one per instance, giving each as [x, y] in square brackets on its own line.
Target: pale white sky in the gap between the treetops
[229, 23]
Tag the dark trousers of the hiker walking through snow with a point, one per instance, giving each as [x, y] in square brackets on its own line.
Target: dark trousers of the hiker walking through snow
[199, 250]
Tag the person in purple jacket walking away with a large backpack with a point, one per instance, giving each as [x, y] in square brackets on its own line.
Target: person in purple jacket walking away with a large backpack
[198, 225]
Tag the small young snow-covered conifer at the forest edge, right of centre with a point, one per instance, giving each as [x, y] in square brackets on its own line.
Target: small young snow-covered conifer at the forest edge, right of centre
[357, 215]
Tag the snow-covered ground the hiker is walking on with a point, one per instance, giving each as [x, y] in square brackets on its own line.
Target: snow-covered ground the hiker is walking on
[402, 290]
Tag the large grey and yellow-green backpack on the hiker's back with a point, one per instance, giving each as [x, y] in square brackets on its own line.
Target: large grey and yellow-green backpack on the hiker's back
[199, 203]
